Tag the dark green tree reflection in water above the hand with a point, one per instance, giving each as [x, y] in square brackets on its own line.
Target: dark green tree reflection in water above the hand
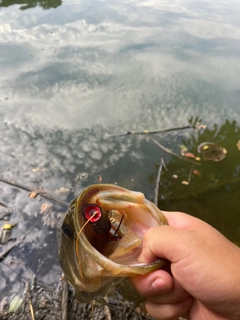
[213, 195]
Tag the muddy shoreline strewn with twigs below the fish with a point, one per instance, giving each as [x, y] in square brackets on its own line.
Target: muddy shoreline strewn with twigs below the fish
[44, 303]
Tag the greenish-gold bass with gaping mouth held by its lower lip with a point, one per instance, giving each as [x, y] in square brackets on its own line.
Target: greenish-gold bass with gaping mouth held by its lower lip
[100, 238]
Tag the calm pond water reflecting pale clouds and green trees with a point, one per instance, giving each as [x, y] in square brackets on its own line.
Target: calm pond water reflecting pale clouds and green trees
[75, 73]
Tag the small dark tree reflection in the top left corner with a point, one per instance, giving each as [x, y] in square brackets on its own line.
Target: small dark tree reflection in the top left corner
[24, 4]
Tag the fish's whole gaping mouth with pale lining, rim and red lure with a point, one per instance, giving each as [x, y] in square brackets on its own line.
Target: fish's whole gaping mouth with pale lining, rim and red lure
[123, 217]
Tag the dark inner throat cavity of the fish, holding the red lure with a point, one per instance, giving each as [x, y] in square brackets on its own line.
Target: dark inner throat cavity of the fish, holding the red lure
[109, 233]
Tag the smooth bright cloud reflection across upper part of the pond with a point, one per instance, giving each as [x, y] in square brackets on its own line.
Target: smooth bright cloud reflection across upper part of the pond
[76, 68]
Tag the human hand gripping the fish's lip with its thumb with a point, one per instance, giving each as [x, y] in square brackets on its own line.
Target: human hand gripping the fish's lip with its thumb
[204, 282]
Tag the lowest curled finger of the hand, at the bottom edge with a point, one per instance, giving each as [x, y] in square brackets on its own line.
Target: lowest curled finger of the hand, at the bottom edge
[168, 311]
